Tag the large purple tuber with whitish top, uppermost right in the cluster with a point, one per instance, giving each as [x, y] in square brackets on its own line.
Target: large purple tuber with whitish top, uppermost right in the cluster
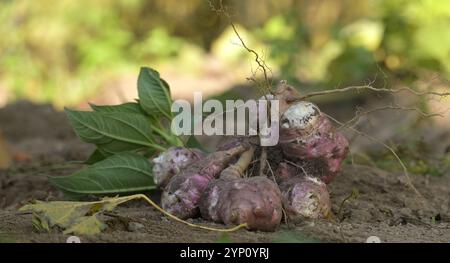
[306, 134]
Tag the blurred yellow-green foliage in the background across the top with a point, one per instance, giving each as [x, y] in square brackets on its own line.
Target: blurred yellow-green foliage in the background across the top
[65, 51]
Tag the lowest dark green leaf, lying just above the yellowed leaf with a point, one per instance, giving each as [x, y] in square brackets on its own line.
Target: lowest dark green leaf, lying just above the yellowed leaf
[121, 173]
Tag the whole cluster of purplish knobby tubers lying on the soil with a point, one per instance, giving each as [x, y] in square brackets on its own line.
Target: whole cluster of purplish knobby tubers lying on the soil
[221, 187]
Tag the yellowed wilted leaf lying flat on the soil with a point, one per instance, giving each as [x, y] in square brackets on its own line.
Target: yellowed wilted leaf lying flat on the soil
[74, 217]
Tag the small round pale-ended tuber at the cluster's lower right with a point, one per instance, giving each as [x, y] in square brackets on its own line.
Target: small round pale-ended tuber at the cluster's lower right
[302, 196]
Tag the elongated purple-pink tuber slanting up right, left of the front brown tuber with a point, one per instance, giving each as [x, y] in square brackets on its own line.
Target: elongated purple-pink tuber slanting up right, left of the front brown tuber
[182, 194]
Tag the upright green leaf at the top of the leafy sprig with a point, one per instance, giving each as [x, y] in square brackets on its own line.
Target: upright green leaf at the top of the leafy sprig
[154, 93]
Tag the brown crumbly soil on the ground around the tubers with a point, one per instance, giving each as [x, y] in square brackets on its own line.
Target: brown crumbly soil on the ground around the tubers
[384, 206]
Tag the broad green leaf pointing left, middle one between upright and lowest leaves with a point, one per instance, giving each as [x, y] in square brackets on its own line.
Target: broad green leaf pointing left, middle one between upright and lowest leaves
[102, 128]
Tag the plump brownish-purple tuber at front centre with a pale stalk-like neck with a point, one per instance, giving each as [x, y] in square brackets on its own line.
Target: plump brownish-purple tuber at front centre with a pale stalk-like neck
[233, 200]
